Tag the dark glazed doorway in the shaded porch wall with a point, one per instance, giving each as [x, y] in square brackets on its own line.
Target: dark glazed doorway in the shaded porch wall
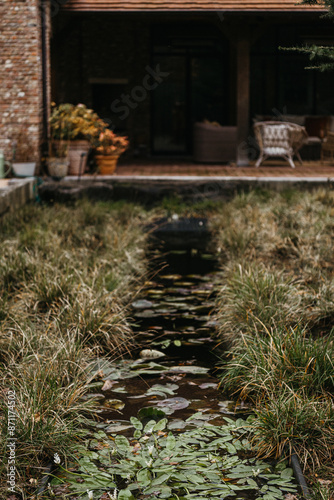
[194, 90]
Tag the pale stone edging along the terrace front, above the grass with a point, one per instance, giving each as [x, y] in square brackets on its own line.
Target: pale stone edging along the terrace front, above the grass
[154, 188]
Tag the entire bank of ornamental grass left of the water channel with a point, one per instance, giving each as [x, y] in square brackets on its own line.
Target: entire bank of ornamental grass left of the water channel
[67, 277]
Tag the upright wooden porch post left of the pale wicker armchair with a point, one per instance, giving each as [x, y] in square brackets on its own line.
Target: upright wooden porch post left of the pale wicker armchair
[243, 91]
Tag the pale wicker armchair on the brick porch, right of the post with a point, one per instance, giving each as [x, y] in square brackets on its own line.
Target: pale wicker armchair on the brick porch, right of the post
[279, 139]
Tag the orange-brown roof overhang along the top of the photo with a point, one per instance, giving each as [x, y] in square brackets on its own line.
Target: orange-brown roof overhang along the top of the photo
[190, 5]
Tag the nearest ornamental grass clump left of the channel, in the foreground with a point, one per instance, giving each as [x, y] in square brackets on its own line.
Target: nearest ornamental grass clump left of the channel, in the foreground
[46, 372]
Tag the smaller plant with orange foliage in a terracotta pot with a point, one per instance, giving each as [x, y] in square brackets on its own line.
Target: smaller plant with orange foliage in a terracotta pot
[108, 148]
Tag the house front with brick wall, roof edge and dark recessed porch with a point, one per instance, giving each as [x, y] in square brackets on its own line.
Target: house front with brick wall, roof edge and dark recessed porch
[153, 68]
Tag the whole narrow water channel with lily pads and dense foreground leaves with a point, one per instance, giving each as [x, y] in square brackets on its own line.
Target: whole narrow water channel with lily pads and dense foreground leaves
[165, 430]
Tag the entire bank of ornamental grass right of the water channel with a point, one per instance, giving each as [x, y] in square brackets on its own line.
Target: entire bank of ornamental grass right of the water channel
[275, 314]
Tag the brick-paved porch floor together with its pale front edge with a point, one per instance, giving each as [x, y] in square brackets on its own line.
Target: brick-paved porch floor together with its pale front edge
[149, 182]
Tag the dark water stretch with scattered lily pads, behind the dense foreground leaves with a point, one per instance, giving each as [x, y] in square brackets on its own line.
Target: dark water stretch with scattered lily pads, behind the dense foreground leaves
[173, 369]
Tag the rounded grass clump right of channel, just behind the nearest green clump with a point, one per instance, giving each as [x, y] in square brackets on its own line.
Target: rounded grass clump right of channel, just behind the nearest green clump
[253, 294]
